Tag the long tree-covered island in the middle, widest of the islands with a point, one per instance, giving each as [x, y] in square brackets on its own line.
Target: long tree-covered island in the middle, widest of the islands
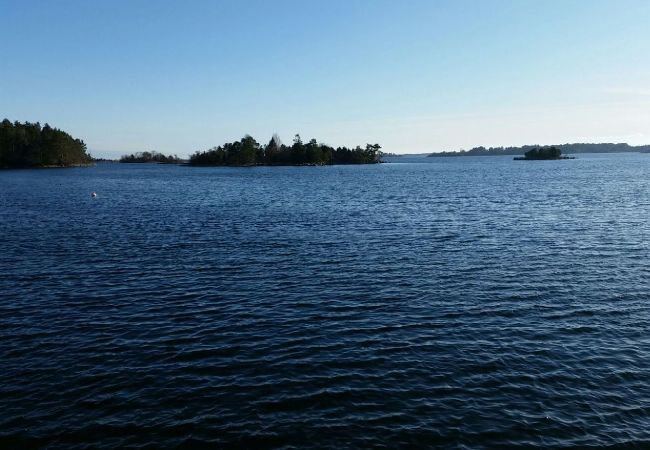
[248, 152]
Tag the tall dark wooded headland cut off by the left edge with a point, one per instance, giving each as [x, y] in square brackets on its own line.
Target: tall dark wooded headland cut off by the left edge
[30, 145]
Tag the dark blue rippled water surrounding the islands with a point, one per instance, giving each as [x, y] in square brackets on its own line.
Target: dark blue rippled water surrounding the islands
[478, 302]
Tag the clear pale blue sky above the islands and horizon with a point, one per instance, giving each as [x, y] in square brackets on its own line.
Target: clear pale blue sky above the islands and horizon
[415, 76]
